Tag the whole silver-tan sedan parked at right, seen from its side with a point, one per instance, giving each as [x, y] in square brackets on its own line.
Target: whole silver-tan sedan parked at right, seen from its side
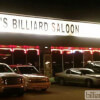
[83, 76]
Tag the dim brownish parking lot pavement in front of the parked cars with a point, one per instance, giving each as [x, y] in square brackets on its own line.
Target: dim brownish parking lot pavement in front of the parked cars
[55, 92]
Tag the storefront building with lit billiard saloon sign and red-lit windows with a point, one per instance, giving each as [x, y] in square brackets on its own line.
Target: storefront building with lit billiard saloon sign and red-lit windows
[50, 44]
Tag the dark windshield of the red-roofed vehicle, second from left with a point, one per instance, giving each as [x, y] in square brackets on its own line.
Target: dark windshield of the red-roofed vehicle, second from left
[28, 70]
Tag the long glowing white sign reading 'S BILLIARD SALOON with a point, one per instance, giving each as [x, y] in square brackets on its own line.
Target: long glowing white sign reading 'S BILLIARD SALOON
[44, 26]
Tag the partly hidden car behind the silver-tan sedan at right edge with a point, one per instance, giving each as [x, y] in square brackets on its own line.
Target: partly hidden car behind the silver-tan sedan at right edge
[95, 65]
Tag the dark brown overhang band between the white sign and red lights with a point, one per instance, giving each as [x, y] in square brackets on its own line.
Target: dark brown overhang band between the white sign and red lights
[18, 39]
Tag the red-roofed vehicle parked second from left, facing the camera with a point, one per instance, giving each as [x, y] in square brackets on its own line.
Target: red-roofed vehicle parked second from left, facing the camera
[33, 79]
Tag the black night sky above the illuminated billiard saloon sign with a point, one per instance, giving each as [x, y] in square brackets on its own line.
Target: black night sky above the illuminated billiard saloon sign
[85, 10]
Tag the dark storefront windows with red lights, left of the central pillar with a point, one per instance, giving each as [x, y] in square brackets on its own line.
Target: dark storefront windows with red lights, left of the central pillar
[19, 56]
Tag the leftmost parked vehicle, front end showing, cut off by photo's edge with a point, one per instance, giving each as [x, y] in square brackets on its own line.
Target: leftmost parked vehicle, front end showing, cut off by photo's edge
[10, 82]
